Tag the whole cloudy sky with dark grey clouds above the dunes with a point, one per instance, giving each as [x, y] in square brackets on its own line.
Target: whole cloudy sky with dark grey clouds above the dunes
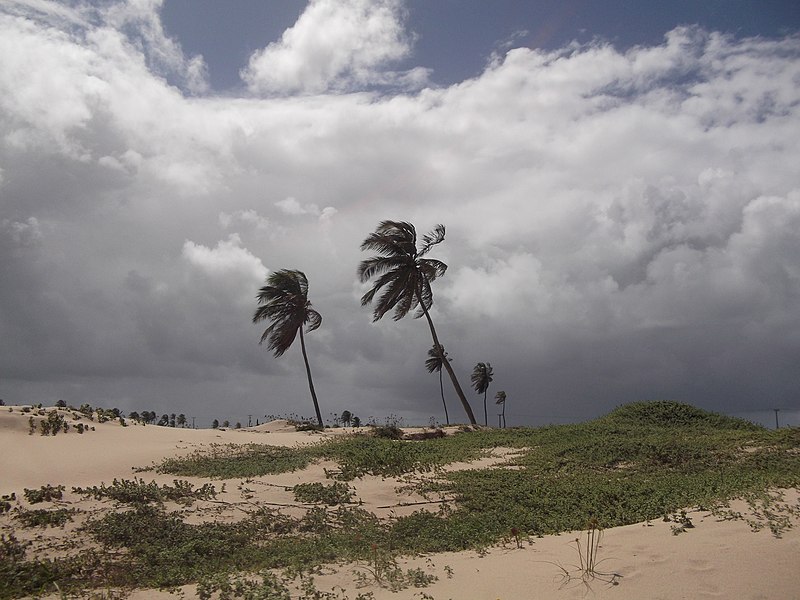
[618, 181]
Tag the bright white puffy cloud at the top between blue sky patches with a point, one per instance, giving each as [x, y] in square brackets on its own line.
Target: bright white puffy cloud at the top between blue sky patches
[336, 45]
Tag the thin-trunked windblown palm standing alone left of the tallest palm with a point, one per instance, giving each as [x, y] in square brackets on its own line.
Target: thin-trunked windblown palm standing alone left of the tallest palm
[284, 302]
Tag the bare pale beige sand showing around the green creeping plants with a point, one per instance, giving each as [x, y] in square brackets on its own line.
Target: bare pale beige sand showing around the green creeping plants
[715, 559]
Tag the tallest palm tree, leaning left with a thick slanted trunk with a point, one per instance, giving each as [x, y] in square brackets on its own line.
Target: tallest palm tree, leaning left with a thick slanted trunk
[405, 276]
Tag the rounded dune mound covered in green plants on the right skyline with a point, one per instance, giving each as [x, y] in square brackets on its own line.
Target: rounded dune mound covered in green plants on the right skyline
[673, 414]
